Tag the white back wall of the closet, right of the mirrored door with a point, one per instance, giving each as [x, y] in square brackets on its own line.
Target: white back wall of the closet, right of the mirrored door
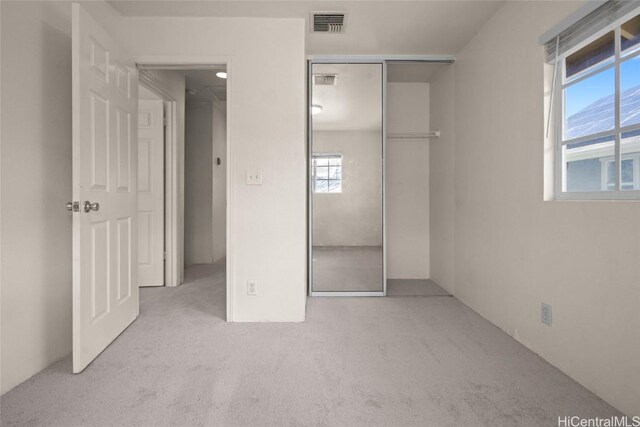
[407, 182]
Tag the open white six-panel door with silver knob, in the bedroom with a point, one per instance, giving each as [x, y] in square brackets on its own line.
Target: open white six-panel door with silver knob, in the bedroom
[105, 173]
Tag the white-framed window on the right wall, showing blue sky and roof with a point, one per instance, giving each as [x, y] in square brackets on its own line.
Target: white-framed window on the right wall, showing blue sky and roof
[598, 114]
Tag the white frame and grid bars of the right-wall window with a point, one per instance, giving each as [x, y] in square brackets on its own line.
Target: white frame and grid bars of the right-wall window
[559, 106]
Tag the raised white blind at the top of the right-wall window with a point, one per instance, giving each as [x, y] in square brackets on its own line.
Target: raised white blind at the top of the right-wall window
[566, 37]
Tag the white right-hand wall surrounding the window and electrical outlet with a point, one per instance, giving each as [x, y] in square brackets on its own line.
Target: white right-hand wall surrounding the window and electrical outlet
[512, 249]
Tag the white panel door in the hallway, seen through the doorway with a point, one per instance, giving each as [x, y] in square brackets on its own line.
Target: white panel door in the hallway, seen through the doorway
[150, 193]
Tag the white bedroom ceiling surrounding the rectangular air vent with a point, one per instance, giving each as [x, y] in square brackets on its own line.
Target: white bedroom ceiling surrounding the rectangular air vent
[372, 27]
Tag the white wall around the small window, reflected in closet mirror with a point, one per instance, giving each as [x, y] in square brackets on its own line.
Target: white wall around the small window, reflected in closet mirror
[353, 217]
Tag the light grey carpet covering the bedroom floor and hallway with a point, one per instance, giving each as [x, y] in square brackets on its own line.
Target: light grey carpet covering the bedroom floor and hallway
[428, 361]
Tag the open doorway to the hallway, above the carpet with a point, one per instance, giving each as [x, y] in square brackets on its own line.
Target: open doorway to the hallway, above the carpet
[182, 171]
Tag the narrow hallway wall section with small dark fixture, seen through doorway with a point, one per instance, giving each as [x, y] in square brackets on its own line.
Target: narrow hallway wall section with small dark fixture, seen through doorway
[219, 199]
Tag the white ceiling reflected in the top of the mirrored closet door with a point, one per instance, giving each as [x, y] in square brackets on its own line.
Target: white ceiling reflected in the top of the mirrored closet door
[354, 102]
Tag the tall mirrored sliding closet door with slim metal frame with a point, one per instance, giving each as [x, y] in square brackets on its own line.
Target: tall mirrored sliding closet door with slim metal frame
[346, 162]
